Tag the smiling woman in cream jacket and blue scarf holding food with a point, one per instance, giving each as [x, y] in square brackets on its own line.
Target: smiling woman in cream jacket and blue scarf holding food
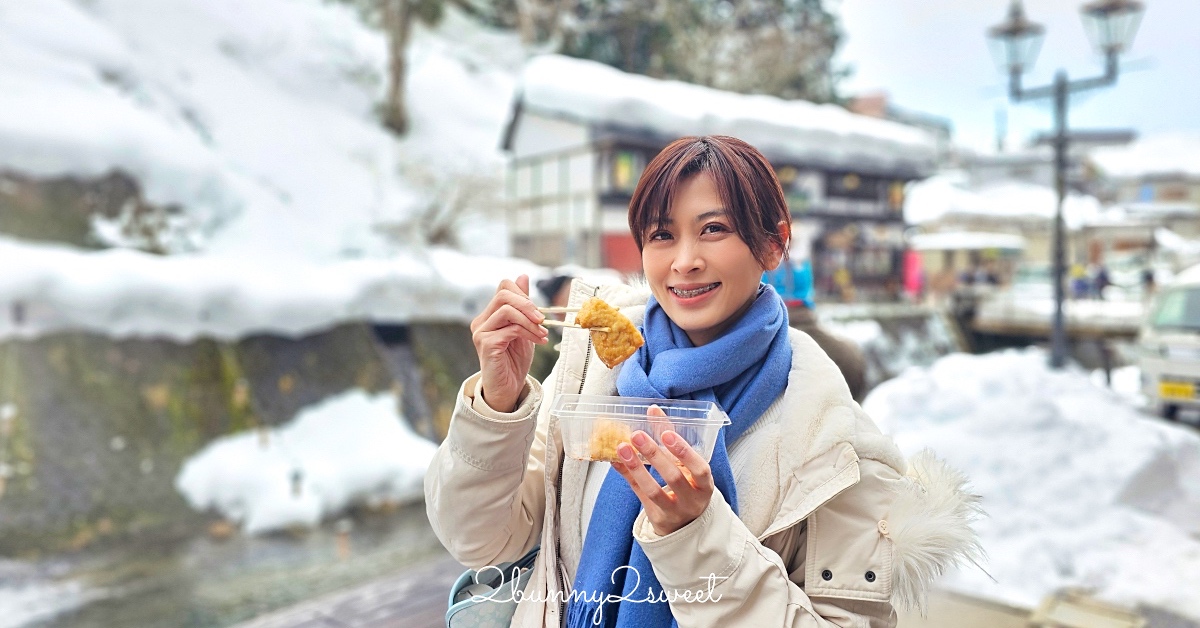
[806, 515]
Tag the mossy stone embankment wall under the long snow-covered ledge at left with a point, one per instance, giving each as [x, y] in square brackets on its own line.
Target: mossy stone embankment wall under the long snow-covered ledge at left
[104, 426]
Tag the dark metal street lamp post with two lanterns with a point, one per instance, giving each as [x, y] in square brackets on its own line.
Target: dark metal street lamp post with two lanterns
[1017, 41]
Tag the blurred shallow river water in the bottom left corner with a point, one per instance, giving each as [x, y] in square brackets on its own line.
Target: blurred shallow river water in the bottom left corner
[206, 583]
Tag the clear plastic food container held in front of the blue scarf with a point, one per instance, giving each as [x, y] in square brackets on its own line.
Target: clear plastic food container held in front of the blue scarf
[593, 426]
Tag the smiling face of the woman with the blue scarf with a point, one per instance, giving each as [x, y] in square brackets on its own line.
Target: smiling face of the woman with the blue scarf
[700, 271]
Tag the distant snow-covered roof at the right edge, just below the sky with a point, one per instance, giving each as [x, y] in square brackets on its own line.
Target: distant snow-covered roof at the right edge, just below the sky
[1174, 154]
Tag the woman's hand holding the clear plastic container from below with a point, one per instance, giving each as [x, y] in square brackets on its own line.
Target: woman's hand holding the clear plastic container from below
[688, 476]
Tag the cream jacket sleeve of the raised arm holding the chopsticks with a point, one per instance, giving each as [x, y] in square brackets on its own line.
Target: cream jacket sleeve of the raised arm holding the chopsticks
[484, 491]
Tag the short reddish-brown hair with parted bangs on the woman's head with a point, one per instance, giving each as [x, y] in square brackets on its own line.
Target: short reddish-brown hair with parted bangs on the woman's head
[745, 180]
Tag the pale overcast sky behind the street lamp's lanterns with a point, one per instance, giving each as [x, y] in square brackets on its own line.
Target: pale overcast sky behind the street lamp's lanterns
[933, 56]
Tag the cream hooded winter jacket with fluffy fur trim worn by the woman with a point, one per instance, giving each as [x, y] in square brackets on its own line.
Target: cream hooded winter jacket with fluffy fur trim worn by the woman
[835, 530]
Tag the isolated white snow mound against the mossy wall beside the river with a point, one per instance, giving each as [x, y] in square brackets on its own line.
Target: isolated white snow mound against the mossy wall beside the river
[350, 450]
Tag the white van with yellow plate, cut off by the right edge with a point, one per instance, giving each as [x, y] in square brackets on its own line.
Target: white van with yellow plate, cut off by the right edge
[1171, 346]
